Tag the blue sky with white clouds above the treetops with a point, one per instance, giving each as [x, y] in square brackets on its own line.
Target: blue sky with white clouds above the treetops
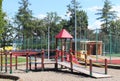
[41, 7]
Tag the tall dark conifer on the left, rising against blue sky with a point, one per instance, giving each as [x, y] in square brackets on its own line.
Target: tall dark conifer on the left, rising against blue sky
[23, 19]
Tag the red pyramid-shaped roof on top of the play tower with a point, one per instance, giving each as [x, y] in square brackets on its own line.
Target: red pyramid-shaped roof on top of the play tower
[63, 34]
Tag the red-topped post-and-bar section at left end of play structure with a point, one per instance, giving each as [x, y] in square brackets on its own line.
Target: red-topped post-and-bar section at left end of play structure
[16, 54]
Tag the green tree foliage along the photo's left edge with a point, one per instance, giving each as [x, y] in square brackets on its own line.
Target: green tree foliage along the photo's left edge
[6, 29]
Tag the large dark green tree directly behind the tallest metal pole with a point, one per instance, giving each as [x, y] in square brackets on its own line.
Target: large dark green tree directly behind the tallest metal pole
[82, 19]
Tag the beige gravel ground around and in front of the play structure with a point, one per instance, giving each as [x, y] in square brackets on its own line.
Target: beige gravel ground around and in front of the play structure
[64, 75]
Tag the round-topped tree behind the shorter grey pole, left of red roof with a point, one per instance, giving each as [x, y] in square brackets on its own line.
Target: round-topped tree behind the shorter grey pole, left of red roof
[52, 19]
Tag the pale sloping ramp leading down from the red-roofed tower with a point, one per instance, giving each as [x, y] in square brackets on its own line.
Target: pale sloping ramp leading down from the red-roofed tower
[83, 70]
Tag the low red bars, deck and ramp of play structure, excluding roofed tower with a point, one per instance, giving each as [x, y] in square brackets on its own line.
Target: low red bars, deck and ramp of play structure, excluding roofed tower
[71, 63]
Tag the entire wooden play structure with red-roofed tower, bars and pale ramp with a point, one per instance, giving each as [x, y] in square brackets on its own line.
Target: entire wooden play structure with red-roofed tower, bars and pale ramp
[69, 59]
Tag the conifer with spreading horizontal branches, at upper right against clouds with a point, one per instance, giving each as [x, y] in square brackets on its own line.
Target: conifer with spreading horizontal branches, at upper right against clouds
[106, 15]
